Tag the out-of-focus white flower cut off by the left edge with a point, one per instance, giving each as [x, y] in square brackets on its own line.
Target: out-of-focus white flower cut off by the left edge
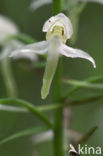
[8, 28]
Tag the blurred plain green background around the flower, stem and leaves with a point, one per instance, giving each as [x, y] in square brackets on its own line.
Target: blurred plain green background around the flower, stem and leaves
[90, 39]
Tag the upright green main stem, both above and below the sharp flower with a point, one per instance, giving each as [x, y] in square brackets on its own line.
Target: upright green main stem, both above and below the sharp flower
[58, 115]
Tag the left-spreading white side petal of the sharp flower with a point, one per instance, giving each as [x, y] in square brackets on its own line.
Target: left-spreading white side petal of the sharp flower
[30, 50]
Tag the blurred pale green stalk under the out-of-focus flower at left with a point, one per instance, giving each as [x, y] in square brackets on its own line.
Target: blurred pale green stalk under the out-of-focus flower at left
[8, 78]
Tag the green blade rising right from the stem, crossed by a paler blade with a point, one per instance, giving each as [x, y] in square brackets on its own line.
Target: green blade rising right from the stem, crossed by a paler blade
[95, 79]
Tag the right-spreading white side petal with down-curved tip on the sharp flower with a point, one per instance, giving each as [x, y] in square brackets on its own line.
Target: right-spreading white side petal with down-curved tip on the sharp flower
[74, 53]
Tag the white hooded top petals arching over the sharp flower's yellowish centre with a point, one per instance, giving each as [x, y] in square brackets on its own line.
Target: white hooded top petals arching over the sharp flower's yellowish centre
[60, 20]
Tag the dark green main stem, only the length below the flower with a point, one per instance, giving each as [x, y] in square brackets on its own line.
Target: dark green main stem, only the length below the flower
[58, 115]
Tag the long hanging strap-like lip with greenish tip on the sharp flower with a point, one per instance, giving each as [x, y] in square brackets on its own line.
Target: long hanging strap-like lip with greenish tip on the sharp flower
[52, 61]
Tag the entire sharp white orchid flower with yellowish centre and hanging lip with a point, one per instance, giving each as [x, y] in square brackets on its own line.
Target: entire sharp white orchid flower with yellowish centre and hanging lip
[59, 29]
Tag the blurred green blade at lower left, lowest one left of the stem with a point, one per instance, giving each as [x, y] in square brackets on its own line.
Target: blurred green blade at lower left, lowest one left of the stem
[27, 132]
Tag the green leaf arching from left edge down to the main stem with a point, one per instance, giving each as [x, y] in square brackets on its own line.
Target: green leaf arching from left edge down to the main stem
[29, 107]
